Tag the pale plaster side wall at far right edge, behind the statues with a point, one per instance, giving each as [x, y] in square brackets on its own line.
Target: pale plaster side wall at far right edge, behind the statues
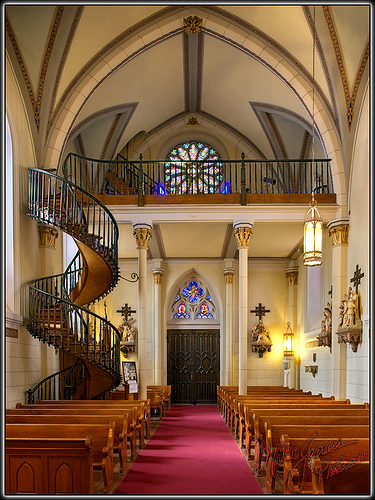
[358, 363]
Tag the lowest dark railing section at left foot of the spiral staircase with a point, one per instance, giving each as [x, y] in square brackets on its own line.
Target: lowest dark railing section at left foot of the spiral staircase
[59, 385]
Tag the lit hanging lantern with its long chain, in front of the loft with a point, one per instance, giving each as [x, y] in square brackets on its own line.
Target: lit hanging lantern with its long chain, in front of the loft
[313, 227]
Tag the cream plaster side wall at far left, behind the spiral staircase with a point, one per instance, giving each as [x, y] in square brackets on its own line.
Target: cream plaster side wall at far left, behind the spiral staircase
[27, 360]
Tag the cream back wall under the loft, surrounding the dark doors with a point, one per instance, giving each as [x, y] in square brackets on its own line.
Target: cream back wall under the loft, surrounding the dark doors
[267, 285]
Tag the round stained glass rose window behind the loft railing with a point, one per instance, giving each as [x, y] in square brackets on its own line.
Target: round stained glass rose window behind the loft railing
[192, 168]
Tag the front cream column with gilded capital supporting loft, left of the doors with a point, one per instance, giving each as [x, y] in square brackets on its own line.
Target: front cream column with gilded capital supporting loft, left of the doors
[142, 233]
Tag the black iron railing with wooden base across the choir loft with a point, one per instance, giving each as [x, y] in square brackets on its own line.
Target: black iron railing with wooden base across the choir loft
[154, 182]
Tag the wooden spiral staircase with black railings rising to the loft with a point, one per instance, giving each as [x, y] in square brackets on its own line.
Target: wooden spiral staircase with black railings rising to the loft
[59, 313]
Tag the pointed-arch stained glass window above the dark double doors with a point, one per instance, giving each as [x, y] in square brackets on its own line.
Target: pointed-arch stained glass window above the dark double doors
[193, 301]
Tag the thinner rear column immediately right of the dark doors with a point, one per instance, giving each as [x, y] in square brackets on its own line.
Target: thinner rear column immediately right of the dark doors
[228, 276]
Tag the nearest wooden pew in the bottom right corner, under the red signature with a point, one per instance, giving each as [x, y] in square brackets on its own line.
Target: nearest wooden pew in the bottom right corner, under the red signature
[340, 477]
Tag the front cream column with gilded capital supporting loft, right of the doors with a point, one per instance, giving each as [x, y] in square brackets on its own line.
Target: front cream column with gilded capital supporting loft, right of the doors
[242, 233]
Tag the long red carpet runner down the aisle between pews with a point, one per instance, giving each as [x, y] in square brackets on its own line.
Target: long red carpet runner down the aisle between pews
[191, 452]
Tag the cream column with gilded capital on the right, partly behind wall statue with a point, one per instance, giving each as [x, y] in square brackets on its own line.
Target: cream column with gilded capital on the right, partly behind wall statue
[338, 230]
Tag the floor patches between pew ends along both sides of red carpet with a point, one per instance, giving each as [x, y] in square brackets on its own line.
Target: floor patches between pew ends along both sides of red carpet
[98, 479]
